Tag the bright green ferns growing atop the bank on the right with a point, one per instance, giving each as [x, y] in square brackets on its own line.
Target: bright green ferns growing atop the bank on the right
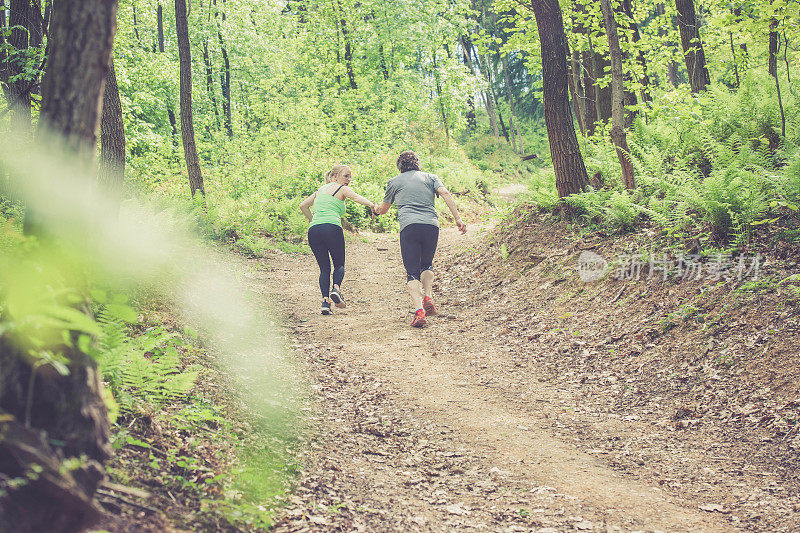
[712, 164]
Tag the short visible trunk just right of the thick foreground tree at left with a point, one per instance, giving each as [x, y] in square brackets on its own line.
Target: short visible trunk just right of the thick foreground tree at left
[112, 139]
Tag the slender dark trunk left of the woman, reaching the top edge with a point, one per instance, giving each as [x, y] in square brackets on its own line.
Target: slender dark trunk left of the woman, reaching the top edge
[187, 120]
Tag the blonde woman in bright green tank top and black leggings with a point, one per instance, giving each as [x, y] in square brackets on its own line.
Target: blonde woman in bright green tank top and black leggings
[325, 235]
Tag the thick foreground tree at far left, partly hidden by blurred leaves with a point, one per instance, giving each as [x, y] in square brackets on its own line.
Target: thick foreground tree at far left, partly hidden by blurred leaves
[68, 408]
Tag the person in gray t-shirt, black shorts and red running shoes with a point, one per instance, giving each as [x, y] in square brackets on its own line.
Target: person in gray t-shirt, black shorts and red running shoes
[414, 193]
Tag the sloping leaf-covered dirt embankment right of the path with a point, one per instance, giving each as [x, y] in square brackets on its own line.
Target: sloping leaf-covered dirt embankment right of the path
[689, 381]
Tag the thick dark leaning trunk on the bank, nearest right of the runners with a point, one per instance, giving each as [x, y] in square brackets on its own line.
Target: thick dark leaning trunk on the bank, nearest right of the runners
[565, 152]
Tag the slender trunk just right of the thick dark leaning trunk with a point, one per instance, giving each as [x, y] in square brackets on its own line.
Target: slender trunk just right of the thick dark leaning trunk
[618, 106]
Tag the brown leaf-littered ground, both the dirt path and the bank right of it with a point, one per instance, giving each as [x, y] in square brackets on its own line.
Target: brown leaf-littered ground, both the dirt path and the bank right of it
[536, 402]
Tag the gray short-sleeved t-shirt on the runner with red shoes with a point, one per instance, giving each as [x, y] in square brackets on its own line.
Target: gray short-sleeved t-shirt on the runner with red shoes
[413, 193]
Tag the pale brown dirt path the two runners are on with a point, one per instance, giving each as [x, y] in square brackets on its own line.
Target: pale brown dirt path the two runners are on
[437, 429]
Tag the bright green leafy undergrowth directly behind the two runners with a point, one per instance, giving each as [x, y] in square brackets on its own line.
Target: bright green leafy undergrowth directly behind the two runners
[254, 188]
